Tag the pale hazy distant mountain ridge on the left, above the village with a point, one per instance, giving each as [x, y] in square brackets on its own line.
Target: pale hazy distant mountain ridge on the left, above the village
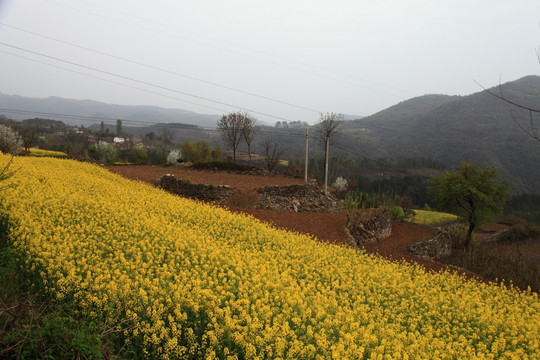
[94, 109]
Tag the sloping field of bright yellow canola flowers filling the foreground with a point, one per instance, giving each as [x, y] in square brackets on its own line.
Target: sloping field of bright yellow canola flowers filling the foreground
[196, 281]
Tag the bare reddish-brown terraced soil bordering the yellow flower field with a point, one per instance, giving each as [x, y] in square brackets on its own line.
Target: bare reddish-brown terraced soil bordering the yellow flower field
[328, 227]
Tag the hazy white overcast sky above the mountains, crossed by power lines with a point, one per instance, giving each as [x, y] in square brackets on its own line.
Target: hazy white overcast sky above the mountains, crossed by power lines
[280, 59]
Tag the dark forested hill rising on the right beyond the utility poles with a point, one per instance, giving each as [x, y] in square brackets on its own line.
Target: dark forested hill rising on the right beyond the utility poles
[478, 128]
